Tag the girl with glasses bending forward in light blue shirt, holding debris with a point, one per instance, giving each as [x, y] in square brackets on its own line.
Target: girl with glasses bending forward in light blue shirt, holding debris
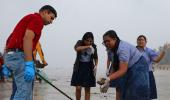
[131, 76]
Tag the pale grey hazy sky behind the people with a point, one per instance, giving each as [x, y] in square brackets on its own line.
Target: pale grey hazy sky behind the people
[129, 18]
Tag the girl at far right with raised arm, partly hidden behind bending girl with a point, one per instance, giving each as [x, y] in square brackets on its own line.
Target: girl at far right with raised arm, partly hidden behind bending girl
[151, 57]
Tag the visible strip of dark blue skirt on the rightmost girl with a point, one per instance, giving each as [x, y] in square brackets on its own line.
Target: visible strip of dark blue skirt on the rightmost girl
[153, 89]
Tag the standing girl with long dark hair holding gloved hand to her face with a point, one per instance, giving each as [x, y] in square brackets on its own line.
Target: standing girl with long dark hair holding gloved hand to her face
[85, 65]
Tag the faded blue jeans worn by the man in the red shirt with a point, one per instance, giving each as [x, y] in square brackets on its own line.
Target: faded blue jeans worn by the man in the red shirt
[22, 90]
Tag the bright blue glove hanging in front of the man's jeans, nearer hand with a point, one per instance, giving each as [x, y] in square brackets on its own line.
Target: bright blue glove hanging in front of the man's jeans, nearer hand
[29, 71]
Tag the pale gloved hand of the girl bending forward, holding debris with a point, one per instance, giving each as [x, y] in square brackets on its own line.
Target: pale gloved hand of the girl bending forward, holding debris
[105, 86]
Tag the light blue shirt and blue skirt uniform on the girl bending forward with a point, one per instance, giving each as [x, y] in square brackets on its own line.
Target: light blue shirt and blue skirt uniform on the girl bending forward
[134, 85]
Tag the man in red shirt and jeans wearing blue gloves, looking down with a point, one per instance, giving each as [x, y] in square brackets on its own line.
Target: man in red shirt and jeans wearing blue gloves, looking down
[18, 57]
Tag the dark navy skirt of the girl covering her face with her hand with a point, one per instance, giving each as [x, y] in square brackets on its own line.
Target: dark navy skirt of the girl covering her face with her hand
[84, 75]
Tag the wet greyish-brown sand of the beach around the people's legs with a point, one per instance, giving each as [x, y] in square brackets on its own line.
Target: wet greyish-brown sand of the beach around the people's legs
[43, 91]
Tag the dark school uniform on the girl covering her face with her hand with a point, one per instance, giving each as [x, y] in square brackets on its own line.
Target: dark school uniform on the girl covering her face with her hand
[83, 74]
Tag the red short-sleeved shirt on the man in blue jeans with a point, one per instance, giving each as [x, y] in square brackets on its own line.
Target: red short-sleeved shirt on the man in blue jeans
[33, 22]
